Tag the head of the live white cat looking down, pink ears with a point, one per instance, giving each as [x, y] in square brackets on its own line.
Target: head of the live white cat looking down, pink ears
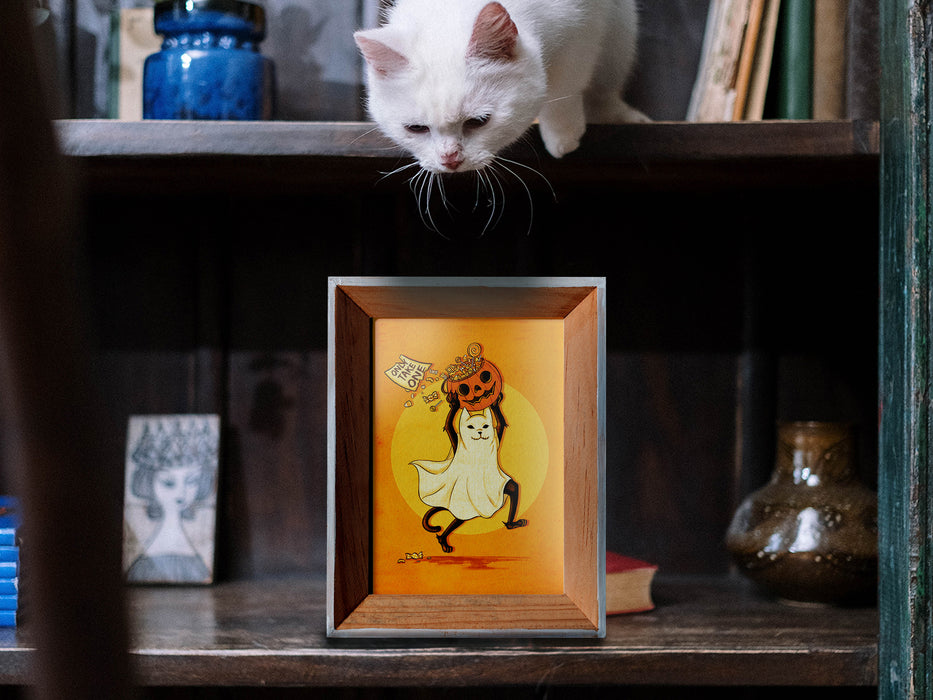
[452, 90]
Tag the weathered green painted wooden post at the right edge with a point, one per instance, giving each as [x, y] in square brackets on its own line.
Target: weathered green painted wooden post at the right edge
[906, 459]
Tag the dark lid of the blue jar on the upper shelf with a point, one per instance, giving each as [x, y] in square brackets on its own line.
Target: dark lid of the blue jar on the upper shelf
[206, 15]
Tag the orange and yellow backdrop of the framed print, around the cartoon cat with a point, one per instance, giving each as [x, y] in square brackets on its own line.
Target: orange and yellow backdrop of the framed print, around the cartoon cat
[487, 557]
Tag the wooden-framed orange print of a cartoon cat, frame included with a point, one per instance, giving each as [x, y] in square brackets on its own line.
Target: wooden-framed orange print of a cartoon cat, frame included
[466, 457]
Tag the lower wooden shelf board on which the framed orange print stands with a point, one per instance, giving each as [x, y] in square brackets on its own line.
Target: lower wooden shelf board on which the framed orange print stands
[705, 631]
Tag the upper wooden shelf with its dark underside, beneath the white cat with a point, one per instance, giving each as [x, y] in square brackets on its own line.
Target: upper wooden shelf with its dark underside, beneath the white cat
[285, 156]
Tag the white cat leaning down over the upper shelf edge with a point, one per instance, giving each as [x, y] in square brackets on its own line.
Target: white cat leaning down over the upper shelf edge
[456, 81]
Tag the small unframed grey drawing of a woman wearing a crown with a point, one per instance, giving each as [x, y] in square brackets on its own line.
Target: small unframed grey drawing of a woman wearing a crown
[170, 499]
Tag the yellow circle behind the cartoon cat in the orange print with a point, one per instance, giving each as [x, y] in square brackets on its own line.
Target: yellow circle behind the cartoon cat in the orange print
[523, 453]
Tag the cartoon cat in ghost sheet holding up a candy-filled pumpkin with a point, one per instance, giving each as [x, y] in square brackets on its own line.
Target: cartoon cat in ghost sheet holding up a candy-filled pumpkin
[469, 483]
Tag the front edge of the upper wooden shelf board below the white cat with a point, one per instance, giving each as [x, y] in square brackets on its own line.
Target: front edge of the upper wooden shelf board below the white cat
[663, 140]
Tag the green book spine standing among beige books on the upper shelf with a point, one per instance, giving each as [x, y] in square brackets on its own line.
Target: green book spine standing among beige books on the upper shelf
[795, 69]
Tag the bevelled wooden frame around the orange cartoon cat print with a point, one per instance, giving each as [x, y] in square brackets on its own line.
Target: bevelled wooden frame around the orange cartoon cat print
[357, 307]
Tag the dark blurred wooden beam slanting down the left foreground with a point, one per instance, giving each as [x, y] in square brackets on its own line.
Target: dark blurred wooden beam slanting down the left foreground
[72, 511]
